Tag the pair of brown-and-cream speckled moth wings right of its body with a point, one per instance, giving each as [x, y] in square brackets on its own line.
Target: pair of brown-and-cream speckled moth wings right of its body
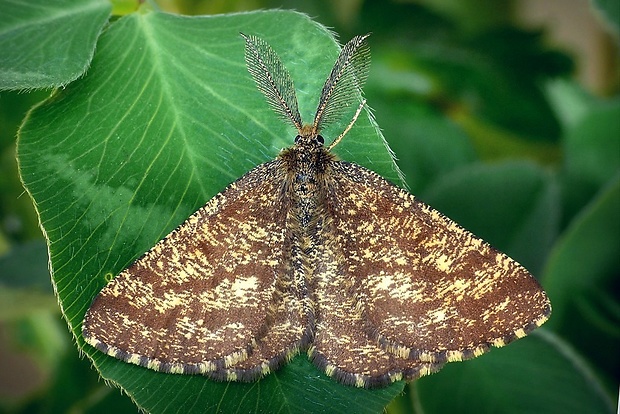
[421, 288]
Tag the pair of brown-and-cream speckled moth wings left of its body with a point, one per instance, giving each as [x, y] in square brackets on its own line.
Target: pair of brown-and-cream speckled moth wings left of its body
[213, 297]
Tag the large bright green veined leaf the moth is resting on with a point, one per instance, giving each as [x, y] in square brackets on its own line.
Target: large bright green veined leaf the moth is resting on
[166, 117]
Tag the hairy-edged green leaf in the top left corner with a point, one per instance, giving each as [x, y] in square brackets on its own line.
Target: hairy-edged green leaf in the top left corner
[47, 43]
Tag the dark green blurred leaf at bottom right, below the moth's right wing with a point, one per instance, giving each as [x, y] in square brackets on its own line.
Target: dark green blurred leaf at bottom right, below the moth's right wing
[539, 374]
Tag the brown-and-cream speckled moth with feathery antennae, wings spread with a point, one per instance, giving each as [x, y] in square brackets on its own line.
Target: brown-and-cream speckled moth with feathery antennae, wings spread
[309, 253]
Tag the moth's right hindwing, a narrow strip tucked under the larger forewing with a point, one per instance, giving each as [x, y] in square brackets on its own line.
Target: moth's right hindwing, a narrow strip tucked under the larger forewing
[342, 346]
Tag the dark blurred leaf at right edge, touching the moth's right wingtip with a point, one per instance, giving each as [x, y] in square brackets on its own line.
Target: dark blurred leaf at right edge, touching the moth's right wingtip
[581, 276]
